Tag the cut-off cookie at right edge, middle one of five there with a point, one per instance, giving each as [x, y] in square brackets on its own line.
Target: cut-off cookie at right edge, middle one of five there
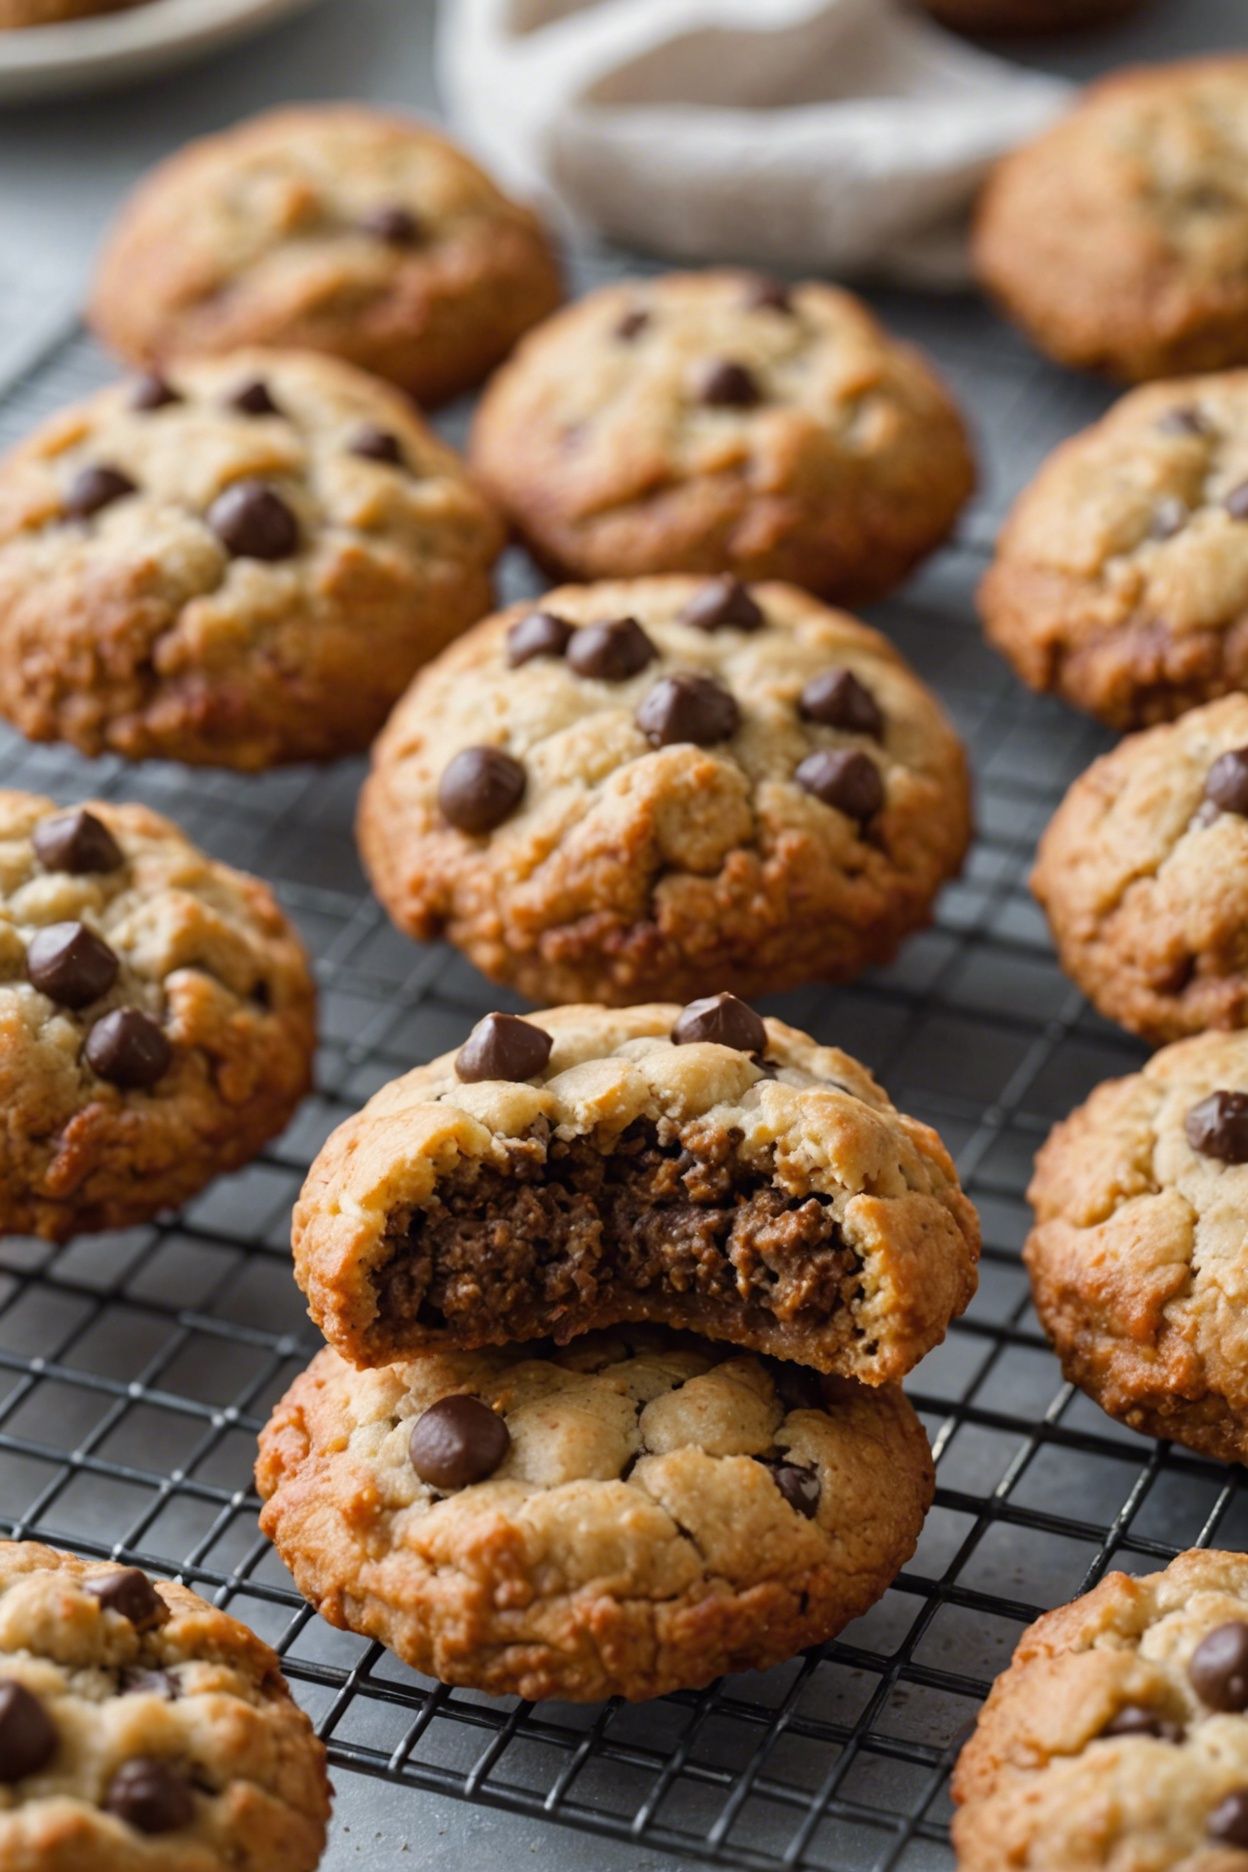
[1144, 877]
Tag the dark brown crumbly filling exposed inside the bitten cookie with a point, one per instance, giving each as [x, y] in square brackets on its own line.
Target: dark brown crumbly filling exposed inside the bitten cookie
[568, 1238]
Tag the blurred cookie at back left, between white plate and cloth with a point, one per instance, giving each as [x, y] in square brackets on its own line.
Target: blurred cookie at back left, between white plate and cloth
[332, 229]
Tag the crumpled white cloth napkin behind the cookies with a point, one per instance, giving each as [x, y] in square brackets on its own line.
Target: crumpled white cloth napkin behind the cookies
[843, 136]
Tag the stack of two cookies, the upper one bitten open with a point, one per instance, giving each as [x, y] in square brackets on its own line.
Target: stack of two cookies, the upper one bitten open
[515, 1465]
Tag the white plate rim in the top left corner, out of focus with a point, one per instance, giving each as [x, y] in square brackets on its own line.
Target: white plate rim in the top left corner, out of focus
[85, 55]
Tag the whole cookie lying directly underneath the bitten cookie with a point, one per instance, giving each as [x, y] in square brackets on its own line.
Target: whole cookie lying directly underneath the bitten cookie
[633, 1515]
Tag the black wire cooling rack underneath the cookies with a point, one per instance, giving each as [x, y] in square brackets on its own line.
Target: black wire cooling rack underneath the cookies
[136, 1369]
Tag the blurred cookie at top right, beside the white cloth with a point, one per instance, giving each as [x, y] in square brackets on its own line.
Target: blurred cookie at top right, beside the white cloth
[1118, 239]
